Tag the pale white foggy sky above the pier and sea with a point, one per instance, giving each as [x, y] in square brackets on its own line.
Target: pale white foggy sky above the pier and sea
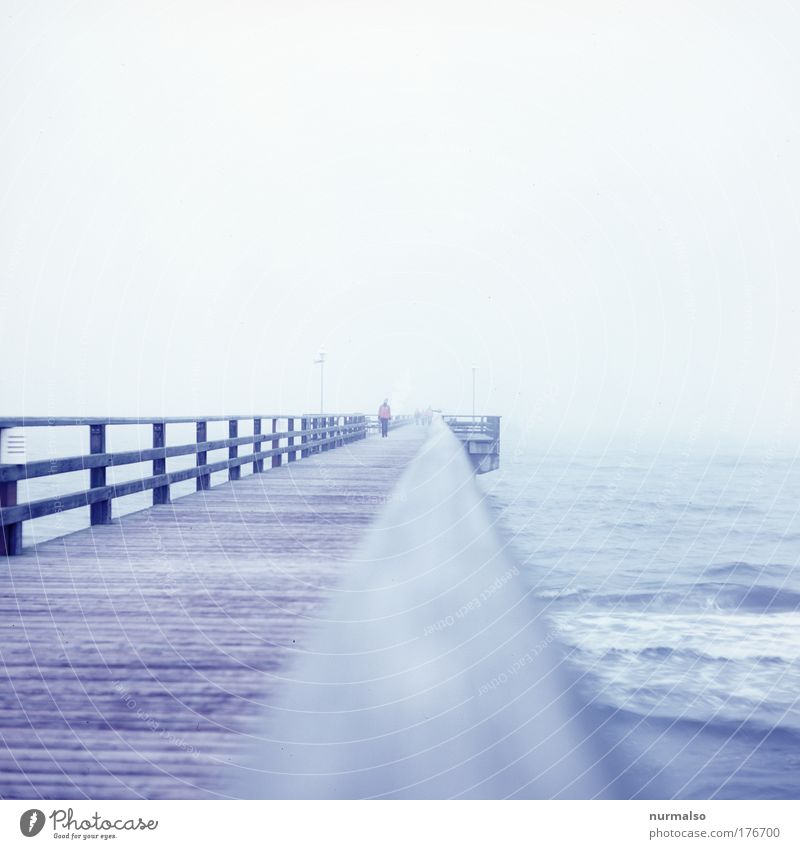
[595, 204]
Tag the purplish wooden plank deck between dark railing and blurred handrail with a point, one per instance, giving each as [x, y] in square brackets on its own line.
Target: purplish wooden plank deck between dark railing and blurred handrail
[134, 653]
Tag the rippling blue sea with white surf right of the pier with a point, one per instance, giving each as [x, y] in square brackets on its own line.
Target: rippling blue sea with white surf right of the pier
[673, 580]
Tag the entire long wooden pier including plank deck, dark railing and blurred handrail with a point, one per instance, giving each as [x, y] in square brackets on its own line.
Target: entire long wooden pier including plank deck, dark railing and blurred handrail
[345, 624]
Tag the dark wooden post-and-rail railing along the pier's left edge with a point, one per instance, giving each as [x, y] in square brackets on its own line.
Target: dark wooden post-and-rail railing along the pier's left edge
[302, 436]
